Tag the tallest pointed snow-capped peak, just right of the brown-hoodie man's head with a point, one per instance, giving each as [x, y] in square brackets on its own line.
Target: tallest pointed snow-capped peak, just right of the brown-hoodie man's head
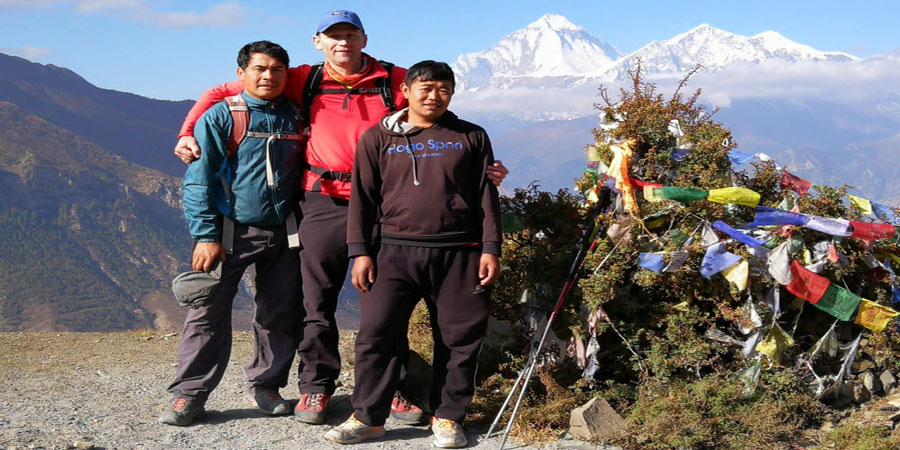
[552, 48]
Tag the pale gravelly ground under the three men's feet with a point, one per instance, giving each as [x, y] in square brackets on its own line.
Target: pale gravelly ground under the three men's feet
[105, 390]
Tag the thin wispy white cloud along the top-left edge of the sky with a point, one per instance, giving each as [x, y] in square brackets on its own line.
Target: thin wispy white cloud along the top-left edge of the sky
[220, 15]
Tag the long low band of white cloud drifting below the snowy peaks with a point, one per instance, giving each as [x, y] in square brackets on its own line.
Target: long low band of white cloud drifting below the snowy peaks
[874, 77]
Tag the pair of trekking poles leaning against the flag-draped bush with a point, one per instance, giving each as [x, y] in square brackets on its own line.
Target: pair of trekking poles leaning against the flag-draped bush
[571, 278]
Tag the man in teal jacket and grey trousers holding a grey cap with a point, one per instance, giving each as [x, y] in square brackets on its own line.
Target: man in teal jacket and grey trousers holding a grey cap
[238, 198]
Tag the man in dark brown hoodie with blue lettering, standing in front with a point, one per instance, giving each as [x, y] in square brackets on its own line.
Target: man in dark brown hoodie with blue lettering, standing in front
[419, 177]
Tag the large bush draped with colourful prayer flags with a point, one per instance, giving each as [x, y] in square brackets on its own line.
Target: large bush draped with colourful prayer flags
[787, 250]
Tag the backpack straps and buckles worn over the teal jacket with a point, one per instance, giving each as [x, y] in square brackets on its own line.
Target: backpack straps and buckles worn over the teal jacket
[240, 130]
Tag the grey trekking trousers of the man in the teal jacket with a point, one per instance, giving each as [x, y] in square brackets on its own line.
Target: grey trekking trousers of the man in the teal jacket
[205, 345]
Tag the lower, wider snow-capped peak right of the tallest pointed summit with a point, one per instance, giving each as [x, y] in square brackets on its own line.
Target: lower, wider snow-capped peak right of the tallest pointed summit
[713, 49]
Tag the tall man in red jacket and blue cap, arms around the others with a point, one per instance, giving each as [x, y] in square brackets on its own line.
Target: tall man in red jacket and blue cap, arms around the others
[349, 99]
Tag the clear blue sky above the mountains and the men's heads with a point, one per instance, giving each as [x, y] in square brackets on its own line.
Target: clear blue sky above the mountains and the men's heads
[173, 50]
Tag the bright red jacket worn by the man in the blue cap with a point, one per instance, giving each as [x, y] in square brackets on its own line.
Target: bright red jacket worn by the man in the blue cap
[334, 130]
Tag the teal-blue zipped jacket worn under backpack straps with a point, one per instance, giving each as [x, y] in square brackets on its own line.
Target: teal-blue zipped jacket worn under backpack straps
[252, 202]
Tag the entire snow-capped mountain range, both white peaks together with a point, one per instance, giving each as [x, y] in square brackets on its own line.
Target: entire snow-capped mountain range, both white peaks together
[554, 52]
